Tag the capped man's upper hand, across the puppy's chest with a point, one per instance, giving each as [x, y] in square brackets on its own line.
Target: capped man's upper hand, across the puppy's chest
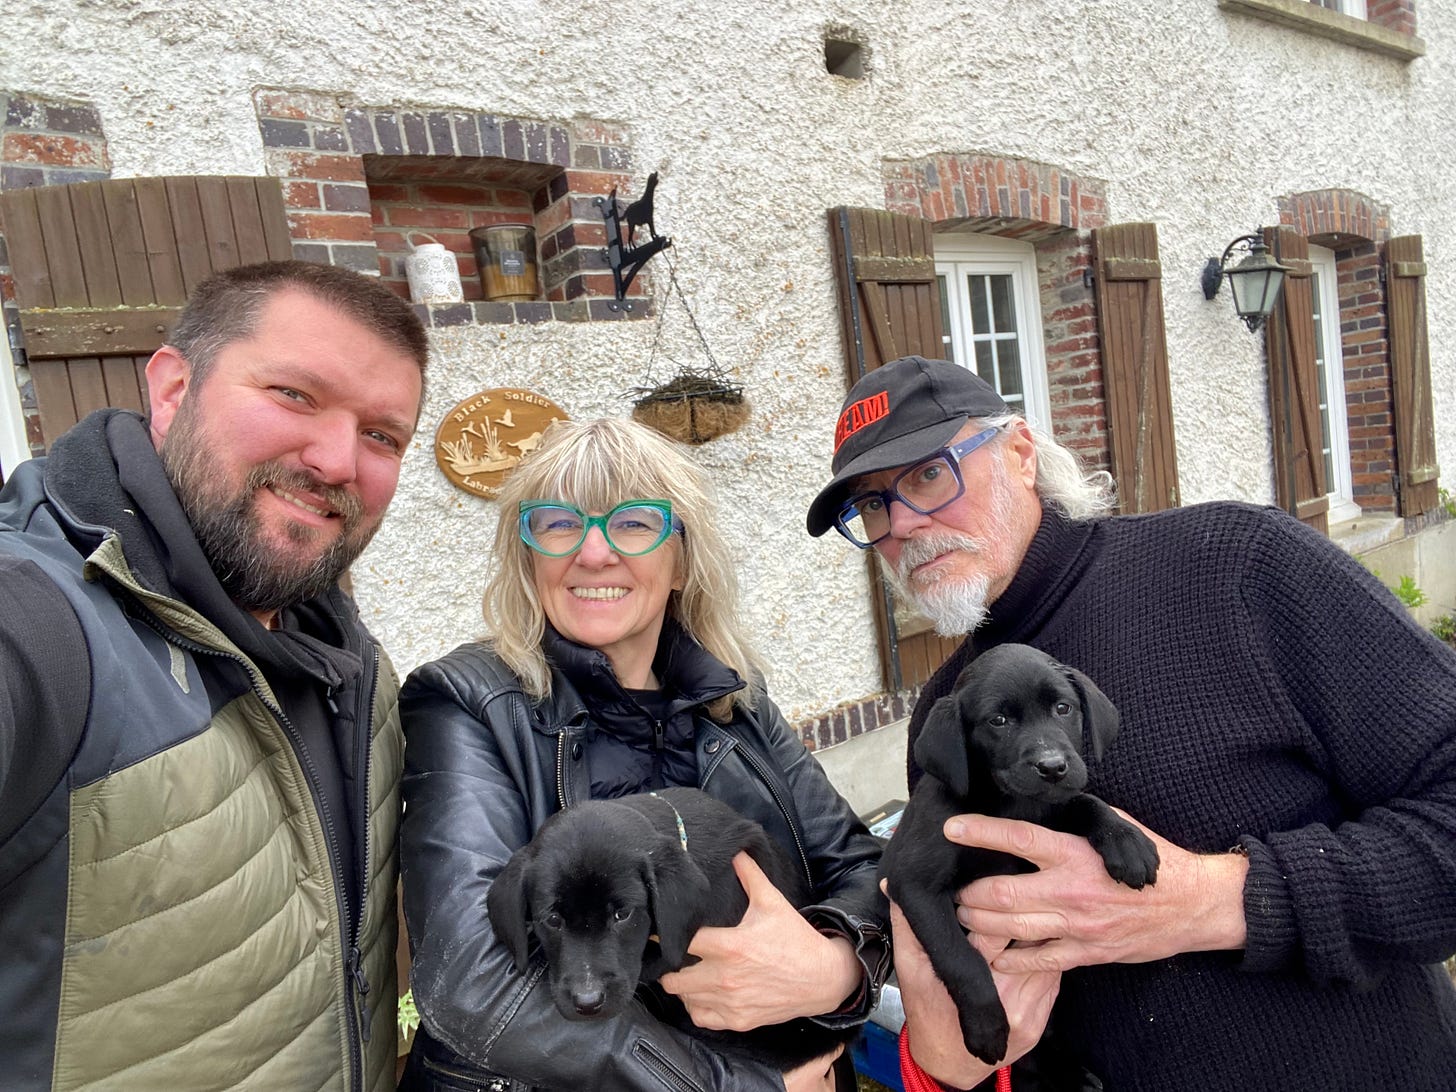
[1072, 914]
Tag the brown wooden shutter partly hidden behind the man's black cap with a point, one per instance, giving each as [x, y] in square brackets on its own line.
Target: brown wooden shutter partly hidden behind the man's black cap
[890, 308]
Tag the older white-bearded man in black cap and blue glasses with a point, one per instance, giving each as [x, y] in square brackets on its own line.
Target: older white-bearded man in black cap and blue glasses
[1275, 700]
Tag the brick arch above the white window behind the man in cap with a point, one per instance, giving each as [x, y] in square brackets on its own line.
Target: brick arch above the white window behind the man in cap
[953, 189]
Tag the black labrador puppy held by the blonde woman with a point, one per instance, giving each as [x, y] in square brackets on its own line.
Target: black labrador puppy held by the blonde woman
[614, 892]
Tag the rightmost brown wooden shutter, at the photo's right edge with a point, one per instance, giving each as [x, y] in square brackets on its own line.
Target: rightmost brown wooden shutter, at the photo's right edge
[1412, 376]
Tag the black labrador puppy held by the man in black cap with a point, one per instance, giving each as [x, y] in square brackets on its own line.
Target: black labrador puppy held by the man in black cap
[1007, 742]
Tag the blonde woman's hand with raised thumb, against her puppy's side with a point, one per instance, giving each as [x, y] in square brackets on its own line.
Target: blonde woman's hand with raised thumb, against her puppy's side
[771, 968]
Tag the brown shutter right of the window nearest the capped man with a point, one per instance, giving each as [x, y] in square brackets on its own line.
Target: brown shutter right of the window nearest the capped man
[1135, 366]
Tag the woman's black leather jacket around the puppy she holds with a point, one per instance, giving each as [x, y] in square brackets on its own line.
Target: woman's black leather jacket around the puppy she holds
[484, 768]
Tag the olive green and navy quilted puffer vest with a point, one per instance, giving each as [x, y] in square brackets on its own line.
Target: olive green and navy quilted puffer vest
[170, 915]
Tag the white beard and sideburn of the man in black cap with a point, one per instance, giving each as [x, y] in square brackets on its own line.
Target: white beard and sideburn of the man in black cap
[957, 605]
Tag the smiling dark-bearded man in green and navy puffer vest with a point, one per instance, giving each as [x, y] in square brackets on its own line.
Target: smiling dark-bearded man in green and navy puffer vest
[199, 739]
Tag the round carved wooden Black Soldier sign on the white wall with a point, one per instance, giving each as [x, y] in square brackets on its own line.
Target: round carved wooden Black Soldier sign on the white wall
[487, 435]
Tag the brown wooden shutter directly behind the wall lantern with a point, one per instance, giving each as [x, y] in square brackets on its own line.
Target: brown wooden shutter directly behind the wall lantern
[1294, 372]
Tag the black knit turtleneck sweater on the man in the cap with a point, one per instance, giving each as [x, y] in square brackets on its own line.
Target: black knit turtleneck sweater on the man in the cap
[1273, 695]
